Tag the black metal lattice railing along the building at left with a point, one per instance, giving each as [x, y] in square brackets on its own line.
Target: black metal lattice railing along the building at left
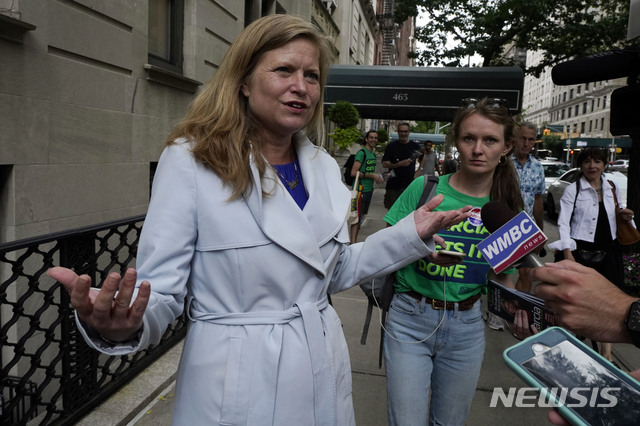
[48, 374]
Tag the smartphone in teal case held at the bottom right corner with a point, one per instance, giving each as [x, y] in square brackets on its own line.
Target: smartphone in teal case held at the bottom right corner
[584, 386]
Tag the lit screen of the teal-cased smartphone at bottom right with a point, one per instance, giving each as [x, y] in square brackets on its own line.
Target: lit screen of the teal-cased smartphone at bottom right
[587, 387]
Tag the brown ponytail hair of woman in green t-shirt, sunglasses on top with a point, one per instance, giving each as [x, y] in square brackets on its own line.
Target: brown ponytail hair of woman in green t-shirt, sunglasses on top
[505, 186]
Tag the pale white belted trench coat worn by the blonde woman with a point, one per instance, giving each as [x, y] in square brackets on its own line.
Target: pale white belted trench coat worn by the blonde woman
[264, 347]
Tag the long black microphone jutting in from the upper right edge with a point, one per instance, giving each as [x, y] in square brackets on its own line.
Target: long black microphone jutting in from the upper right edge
[607, 65]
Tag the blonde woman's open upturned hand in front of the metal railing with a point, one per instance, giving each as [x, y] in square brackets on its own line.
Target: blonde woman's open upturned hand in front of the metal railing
[111, 315]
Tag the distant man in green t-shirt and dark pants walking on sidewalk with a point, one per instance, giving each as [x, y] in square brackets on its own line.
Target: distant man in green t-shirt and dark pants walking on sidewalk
[365, 164]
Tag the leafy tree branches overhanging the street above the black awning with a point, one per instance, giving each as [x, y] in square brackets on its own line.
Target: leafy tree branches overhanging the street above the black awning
[458, 29]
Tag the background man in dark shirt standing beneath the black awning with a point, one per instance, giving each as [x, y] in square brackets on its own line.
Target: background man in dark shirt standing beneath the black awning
[400, 158]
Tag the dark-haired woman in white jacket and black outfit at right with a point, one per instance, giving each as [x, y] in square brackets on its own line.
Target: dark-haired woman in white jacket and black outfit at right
[587, 221]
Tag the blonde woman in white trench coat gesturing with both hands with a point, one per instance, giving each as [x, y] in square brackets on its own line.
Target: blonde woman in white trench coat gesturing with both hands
[247, 225]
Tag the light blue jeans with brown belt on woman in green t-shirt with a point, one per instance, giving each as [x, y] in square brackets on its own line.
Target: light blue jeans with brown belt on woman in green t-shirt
[448, 362]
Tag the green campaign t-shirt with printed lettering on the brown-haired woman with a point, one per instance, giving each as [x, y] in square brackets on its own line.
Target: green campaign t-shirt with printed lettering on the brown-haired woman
[462, 280]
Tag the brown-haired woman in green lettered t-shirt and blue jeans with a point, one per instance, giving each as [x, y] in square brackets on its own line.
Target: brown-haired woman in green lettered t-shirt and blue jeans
[435, 342]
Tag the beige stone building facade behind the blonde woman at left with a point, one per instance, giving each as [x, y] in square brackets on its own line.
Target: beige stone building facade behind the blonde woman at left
[90, 89]
